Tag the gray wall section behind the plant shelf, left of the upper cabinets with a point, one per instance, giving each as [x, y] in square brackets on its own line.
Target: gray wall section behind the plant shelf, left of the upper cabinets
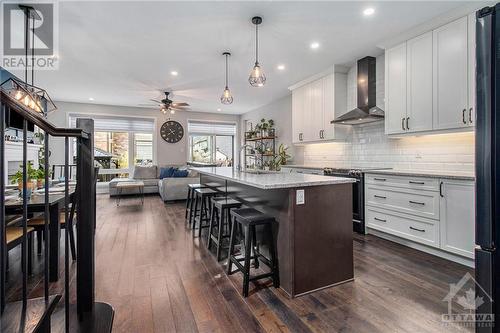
[281, 112]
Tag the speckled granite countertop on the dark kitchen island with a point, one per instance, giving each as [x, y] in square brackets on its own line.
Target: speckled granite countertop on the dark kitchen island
[273, 180]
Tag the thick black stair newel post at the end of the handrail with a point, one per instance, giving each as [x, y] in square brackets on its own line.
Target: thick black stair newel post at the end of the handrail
[86, 219]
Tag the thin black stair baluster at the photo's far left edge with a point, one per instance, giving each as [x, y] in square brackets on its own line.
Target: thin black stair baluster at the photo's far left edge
[3, 243]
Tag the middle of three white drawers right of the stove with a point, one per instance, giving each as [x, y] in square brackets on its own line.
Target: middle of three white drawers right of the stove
[420, 203]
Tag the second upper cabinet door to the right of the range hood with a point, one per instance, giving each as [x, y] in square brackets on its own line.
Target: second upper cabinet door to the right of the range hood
[419, 83]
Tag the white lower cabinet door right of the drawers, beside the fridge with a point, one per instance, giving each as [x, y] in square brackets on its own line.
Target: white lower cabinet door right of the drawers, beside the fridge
[457, 217]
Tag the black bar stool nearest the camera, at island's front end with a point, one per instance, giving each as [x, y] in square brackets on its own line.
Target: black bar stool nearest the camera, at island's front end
[248, 218]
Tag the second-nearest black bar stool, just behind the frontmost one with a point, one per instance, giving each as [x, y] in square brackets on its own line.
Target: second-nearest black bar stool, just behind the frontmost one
[219, 215]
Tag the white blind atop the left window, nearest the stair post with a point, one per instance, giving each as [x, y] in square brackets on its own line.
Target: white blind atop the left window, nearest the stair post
[116, 124]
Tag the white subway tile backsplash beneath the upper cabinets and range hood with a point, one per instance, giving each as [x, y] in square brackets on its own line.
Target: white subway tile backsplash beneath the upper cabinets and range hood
[368, 146]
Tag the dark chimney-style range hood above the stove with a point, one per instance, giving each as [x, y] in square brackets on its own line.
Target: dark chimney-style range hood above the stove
[367, 110]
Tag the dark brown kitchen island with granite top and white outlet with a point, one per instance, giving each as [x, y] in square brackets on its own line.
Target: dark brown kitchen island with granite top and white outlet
[313, 233]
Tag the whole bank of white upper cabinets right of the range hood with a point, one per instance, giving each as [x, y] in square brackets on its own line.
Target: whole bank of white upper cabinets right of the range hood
[430, 80]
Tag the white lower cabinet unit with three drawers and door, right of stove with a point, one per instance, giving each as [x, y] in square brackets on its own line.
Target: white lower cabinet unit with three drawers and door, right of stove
[438, 213]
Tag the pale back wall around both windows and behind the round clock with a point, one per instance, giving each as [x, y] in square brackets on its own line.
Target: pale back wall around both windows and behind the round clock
[166, 153]
